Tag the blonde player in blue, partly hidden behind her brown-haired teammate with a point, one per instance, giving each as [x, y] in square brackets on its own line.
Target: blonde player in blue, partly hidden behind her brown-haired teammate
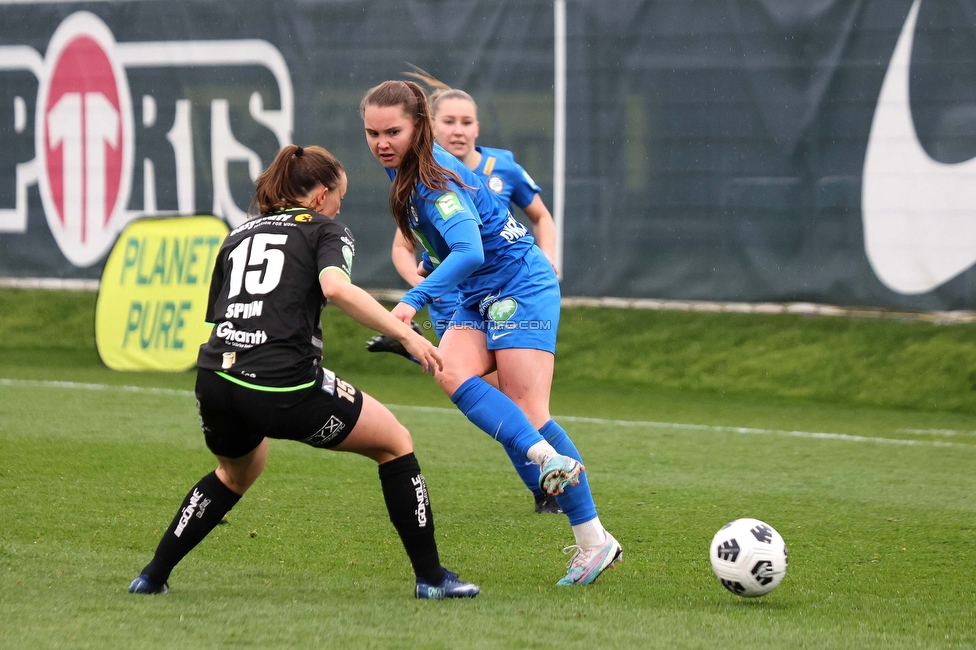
[456, 127]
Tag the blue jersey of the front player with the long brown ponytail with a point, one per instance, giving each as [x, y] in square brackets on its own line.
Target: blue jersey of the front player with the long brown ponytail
[470, 237]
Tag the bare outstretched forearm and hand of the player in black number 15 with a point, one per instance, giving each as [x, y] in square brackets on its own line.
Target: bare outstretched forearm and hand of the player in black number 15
[365, 310]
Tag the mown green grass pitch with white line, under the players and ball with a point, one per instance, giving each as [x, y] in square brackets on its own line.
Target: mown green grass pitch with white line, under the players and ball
[875, 503]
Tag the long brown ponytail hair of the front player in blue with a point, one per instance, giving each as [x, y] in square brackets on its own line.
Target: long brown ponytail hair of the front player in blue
[418, 163]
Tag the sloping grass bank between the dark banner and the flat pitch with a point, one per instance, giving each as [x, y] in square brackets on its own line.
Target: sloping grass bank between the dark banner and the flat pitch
[859, 362]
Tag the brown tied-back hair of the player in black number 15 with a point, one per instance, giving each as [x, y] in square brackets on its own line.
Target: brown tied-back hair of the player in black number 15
[295, 172]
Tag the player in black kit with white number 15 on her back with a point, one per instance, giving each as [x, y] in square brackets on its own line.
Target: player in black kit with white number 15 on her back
[259, 376]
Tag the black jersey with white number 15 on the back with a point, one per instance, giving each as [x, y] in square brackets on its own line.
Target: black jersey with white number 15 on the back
[265, 298]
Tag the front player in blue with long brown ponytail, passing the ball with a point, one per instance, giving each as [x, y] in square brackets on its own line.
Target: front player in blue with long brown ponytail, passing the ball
[507, 311]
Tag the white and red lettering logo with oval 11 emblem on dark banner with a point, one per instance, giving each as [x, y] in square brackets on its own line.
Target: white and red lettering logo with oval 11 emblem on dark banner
[84, 131]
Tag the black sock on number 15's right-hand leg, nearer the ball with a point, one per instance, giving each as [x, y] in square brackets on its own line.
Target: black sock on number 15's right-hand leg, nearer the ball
[405, 492]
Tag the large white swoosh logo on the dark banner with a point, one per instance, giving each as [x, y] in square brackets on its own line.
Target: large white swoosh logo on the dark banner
[919, 214]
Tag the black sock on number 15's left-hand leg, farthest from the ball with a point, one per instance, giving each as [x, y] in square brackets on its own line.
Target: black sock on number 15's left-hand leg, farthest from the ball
[203, 508]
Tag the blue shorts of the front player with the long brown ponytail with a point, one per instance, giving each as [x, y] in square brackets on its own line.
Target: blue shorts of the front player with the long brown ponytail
[522, 312]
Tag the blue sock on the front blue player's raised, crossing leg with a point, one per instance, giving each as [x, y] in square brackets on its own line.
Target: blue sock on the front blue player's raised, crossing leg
[495, 414]
